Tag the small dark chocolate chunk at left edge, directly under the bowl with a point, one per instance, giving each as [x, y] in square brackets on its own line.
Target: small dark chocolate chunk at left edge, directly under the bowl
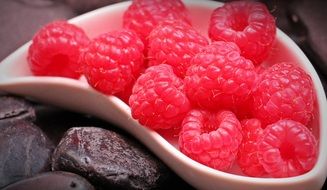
[12, 107]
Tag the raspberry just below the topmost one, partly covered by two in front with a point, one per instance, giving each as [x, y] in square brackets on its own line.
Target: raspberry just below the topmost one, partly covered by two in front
[174, 43]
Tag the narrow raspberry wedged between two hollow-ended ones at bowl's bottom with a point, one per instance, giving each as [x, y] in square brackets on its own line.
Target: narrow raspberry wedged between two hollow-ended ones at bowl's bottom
[247, 157]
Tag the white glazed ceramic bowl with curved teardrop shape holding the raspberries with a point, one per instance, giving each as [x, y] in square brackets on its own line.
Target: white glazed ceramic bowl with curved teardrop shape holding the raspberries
[15, 77]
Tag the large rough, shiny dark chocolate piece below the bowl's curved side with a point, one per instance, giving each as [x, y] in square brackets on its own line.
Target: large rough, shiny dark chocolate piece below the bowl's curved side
[108, 159]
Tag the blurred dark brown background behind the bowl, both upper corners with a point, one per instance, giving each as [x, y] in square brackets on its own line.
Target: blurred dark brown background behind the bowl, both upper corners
[303, 20]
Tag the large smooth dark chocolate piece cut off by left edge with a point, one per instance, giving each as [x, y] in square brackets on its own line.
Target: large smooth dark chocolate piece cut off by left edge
[24, 151]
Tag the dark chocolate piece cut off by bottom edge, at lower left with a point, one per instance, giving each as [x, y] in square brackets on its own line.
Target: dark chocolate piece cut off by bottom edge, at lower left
[52, 181]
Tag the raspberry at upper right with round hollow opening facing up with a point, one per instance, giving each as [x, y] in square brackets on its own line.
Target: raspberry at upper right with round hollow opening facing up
[249, 24]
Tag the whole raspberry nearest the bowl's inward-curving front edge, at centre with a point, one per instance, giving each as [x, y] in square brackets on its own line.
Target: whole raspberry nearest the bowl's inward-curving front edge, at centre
[158, 100]
